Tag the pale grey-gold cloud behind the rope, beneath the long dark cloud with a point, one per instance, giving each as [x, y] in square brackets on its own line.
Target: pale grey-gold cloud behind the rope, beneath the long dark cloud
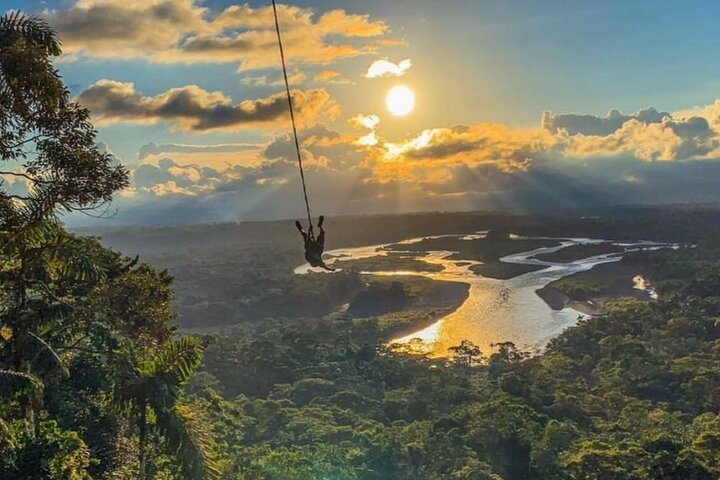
[178, 170]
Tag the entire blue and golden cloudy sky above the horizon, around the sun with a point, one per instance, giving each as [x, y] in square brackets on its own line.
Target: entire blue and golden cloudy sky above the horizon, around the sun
[519, 105]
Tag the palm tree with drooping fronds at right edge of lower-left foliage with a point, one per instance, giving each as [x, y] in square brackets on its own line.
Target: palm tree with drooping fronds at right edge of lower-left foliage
[149, 384]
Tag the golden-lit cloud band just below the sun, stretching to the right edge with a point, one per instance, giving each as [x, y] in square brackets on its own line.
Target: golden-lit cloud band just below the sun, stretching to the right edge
[435, 159]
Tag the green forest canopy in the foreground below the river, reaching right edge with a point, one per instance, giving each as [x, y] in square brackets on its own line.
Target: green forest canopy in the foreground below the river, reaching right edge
[627, 395]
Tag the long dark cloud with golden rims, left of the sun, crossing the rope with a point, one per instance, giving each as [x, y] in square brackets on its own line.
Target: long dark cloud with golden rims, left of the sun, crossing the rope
[192, 108]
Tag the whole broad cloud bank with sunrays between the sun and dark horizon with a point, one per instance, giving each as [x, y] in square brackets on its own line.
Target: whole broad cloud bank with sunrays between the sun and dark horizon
[477, 166]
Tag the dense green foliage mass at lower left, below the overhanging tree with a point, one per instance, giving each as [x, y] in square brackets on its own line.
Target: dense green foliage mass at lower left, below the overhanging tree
[87, 349]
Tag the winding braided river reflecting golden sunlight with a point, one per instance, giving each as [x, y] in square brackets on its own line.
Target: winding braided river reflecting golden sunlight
[495, 310]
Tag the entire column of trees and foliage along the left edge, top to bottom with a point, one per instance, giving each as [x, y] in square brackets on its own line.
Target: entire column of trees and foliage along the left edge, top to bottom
[91, 375]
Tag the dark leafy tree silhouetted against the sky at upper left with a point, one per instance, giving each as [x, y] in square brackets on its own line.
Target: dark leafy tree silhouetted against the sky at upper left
[47, 144]
